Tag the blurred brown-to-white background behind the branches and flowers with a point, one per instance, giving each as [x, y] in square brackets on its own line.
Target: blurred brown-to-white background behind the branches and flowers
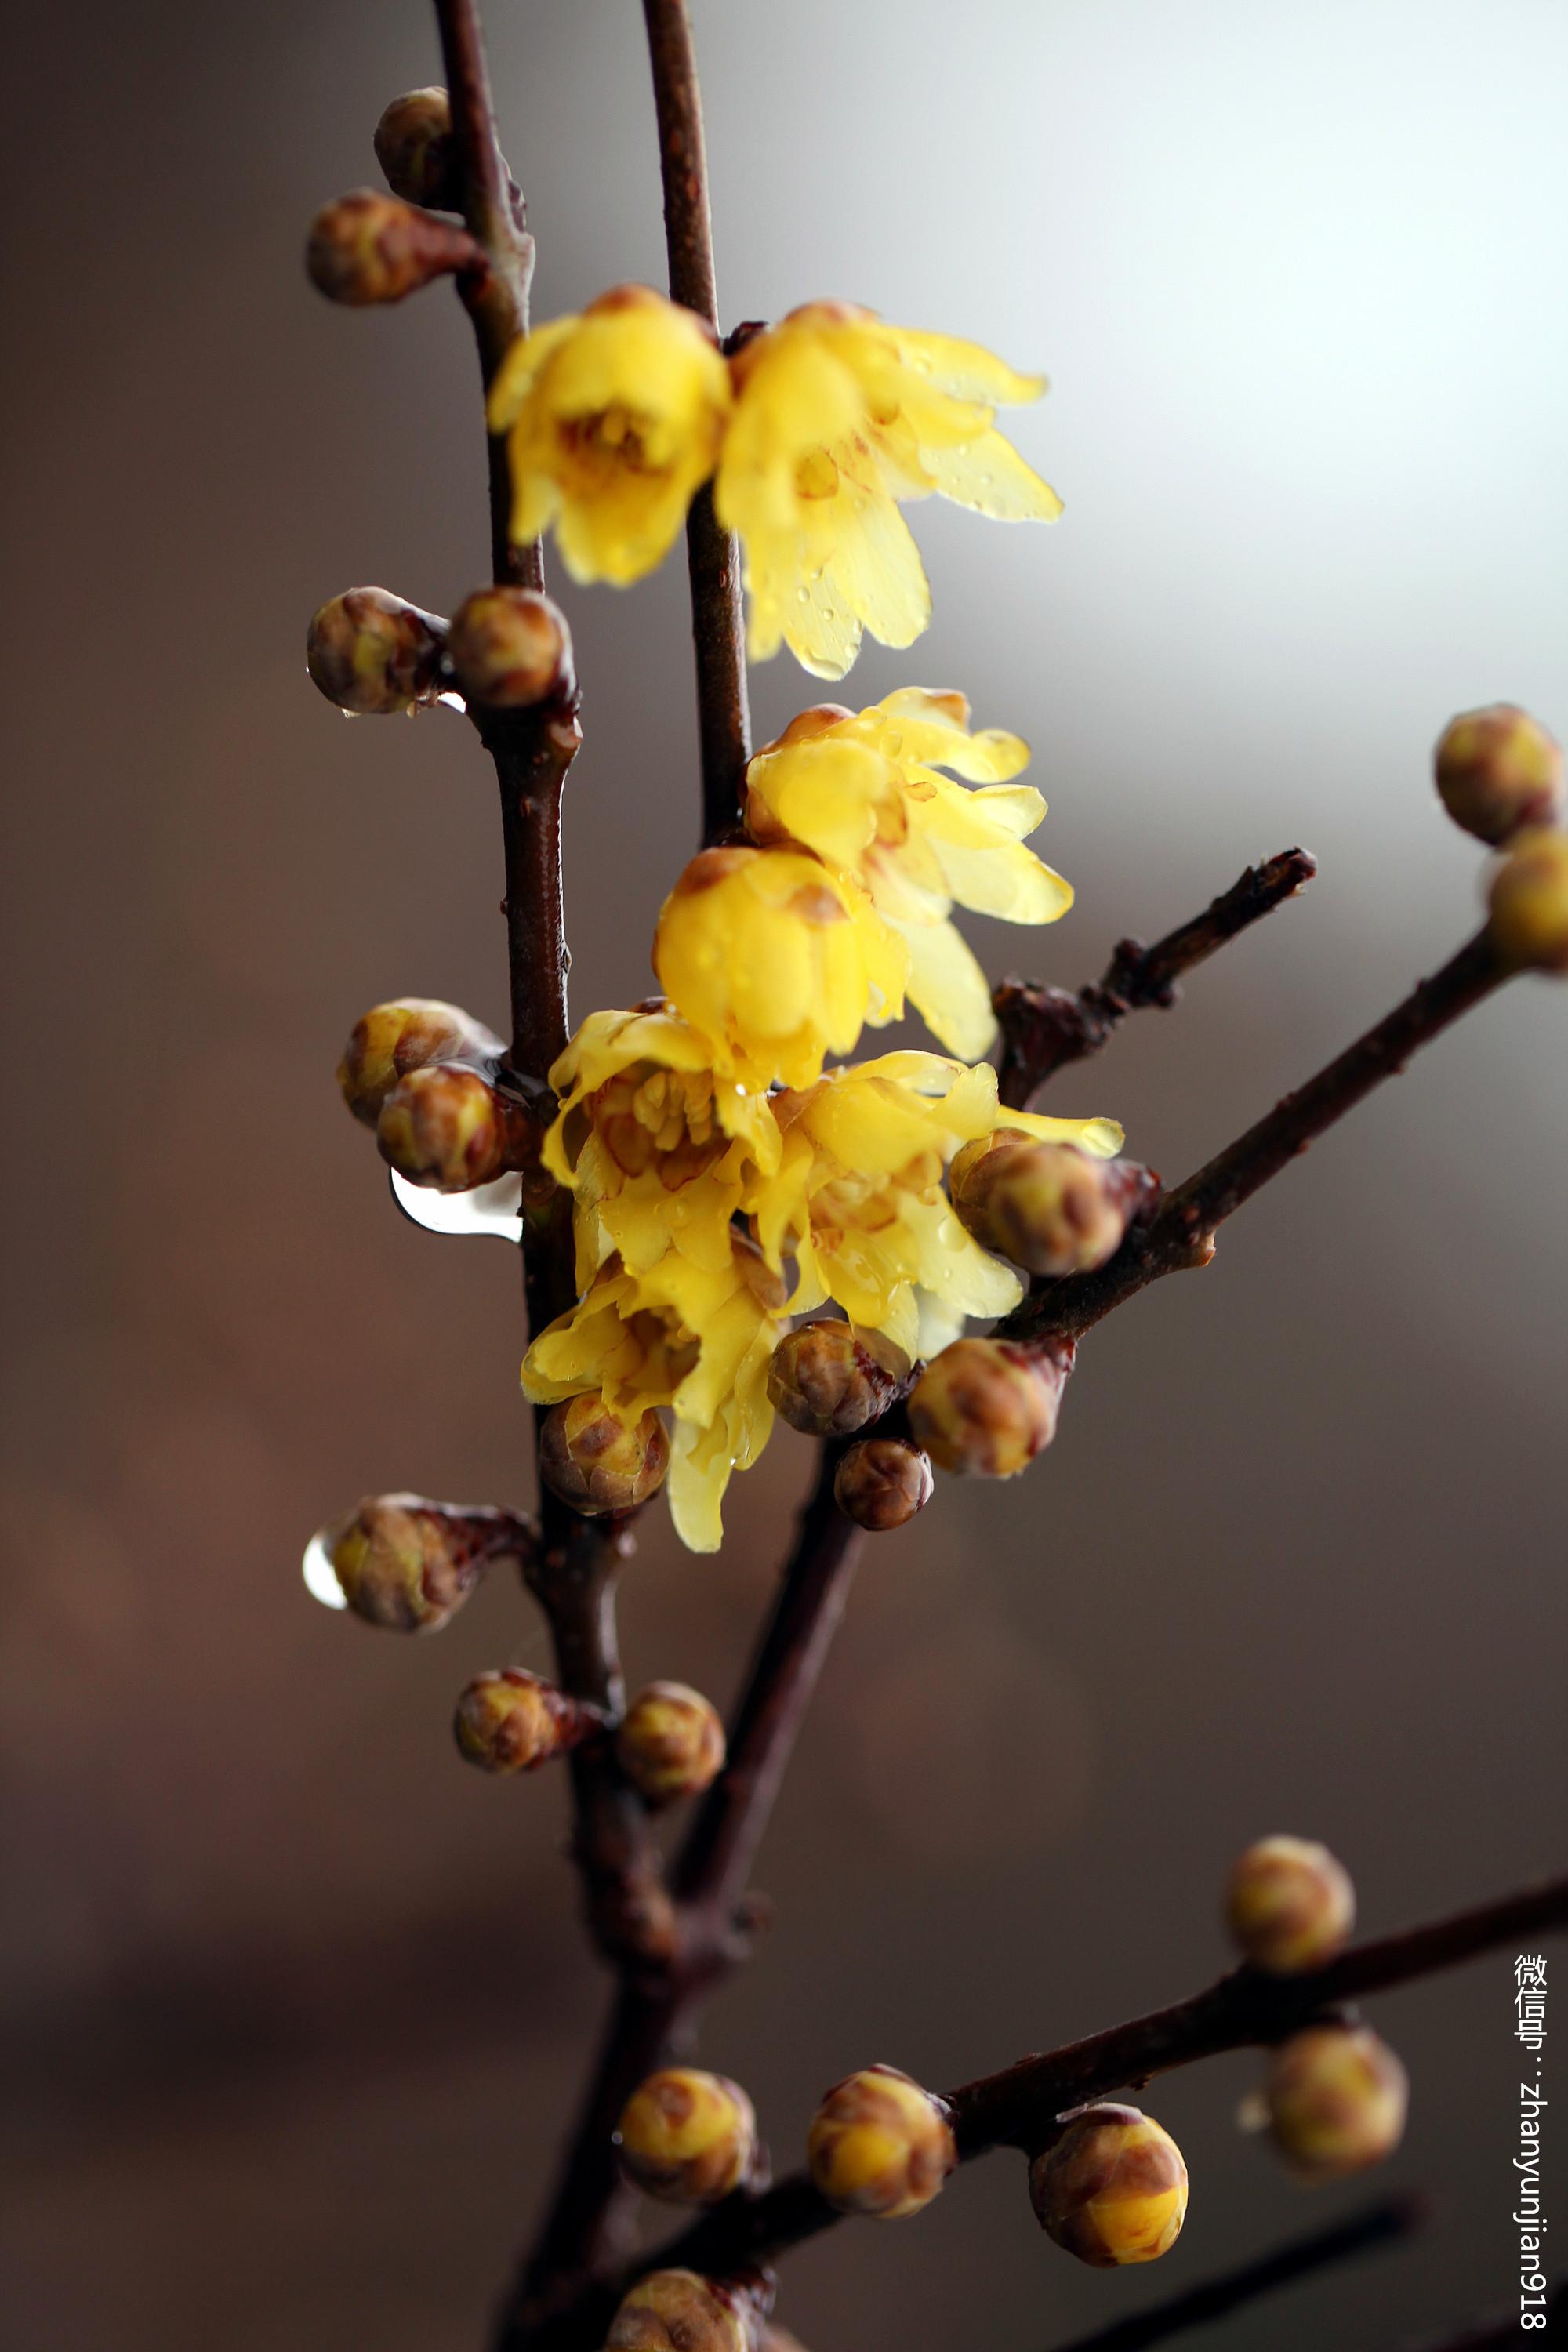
[297, 2003]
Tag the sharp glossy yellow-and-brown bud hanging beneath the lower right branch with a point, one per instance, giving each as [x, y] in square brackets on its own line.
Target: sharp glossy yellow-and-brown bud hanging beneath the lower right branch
[1111, 2189]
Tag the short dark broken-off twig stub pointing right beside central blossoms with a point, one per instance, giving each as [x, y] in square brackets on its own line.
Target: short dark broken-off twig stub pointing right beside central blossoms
[1045, 1029]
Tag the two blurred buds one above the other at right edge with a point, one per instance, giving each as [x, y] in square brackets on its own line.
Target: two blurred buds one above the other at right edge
[1501, 777]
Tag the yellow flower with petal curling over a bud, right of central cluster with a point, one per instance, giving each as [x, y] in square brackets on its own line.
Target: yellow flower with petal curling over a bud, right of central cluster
[859, 1196]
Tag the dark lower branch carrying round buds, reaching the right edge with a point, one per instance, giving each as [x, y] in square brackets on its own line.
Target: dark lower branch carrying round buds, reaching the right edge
[1017, 2106]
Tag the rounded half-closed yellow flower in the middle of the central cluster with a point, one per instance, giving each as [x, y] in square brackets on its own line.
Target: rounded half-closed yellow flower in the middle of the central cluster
[777, 958]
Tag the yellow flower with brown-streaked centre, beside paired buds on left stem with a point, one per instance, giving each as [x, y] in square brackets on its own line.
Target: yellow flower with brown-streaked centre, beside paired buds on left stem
[655, 1142]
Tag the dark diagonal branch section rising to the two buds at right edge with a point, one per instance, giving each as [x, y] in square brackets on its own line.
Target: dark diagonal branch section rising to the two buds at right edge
[1181, 1234]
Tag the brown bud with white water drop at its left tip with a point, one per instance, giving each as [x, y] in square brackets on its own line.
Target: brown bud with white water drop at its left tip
[408, 1563]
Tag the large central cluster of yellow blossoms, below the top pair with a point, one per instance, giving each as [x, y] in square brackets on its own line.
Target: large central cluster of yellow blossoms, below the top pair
[723, 1177]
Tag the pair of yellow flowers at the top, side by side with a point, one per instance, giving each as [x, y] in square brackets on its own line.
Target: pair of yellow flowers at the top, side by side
[812, 436]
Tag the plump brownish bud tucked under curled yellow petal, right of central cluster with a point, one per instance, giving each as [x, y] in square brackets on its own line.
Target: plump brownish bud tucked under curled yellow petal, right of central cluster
[1043, 1205]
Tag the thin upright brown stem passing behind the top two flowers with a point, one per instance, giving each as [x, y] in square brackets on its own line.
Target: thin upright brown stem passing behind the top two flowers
[718, 620]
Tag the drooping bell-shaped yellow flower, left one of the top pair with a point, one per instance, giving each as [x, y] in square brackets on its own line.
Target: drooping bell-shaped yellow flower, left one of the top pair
[615, 425]
